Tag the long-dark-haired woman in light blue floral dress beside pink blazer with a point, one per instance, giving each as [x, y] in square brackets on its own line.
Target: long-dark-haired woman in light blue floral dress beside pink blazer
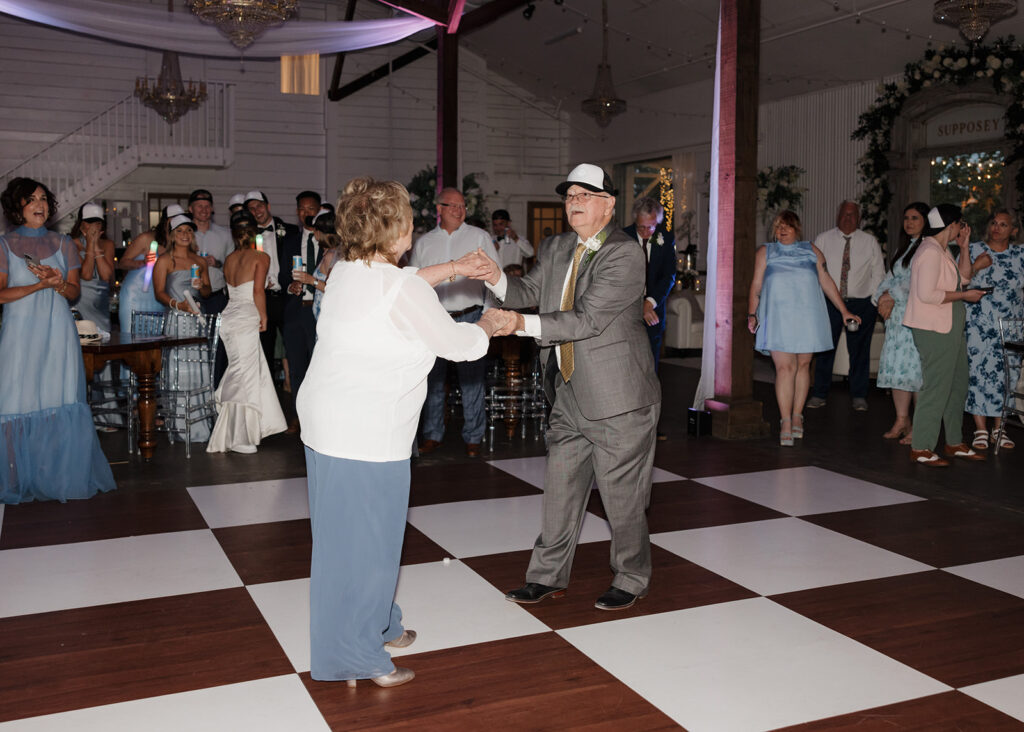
[900, 365]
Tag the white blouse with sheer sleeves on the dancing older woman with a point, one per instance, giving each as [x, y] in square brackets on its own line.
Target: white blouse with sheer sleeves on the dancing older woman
[379, 331]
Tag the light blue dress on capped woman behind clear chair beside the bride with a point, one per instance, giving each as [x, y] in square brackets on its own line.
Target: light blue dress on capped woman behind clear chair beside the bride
[182, 370]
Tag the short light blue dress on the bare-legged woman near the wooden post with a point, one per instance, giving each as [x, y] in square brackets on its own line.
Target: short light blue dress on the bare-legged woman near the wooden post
[792, 313]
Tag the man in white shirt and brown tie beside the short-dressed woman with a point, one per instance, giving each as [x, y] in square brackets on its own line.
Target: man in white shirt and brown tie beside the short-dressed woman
[864, 274]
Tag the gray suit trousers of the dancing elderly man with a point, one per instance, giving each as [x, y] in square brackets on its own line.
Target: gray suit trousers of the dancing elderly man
[619, 452]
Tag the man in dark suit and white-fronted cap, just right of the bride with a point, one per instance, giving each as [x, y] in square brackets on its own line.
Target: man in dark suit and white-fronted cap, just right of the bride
[278, 239]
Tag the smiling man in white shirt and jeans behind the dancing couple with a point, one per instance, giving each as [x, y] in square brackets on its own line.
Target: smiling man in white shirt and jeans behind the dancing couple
[464, 299]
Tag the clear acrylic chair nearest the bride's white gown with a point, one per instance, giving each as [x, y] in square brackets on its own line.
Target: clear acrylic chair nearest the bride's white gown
[187, 377]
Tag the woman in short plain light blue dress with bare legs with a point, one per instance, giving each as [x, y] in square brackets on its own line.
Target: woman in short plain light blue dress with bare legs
[787, 312]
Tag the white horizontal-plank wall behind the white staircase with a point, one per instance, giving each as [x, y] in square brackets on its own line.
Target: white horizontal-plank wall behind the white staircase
[55, 81]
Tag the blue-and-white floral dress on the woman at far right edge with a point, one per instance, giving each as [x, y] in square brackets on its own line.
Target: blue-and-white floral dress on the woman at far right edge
[985, 352]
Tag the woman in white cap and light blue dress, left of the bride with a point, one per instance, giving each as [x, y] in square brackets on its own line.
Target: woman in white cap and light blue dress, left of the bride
[173, 278]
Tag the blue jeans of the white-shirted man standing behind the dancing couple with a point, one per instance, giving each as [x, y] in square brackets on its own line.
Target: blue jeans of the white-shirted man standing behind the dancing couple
[473, 381]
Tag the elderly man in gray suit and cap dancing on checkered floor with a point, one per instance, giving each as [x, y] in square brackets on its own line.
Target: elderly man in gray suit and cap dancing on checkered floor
[589, 285]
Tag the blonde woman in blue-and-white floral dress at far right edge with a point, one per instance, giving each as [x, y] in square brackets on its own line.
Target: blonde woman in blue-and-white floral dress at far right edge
[999, 265]
